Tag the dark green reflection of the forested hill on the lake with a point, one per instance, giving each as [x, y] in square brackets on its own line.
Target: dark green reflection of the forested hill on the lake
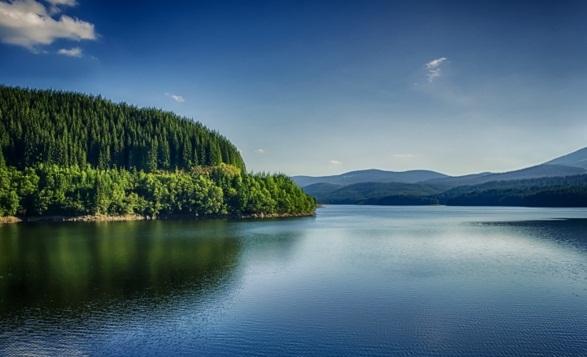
[73, 265]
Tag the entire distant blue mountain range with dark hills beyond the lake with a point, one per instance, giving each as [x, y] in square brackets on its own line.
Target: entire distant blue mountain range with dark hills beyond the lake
[558, 182]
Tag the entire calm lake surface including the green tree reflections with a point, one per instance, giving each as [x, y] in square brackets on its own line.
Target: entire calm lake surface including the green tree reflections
[354, 280]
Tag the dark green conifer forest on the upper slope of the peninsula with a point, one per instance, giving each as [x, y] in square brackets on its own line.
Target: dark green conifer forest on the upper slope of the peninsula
[70, 129]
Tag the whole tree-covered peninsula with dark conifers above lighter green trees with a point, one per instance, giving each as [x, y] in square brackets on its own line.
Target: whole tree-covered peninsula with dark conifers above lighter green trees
[68, 155]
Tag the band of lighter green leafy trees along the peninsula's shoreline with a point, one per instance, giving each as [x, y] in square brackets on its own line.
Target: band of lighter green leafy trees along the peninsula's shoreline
[203, 191]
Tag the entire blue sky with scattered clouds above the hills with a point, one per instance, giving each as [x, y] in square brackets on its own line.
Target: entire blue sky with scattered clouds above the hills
[310, 87]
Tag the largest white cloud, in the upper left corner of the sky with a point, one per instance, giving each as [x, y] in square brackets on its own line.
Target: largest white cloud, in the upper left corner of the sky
[29, 24]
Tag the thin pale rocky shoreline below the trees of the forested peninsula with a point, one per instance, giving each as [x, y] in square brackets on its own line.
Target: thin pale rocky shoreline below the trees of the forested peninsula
[133, 217]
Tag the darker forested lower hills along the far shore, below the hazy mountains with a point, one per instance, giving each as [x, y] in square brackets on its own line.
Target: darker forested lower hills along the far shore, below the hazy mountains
[567, 191]
